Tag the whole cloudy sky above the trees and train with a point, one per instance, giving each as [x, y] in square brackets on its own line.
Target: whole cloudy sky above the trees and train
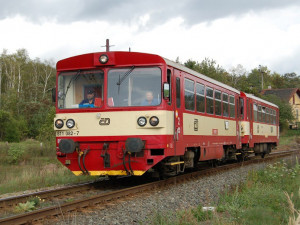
[231, 32]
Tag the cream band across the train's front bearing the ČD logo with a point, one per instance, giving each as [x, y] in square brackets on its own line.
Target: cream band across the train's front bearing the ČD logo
[118, 123]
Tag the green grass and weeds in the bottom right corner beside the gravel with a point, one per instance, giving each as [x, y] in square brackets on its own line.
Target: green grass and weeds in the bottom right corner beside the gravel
[268, 197]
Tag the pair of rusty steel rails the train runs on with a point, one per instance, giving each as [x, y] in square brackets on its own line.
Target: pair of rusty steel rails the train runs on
[105, 198]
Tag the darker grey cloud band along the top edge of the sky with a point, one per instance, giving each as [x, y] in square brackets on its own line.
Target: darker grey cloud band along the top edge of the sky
[128, 11]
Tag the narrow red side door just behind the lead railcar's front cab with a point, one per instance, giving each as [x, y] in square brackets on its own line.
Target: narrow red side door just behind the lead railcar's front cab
[178, 113]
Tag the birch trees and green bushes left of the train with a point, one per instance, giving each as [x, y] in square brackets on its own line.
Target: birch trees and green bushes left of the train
[25, 96]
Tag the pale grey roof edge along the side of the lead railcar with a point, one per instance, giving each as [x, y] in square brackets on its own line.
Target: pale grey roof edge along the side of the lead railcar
[183, 68]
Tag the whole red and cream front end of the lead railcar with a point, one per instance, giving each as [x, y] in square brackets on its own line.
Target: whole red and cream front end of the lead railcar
[113, 116]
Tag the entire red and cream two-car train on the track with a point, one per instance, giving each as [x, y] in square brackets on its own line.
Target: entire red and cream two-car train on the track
[130, 113]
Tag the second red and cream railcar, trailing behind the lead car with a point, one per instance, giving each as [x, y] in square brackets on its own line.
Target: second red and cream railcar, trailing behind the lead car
[259, 125]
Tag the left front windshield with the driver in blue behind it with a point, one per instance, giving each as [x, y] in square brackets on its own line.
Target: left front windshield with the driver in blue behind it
[80, 89]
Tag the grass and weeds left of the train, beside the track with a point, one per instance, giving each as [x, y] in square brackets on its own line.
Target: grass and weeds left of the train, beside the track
[36, 167]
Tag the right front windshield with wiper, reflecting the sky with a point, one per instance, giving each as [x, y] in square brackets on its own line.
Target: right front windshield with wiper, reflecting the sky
[134, 87]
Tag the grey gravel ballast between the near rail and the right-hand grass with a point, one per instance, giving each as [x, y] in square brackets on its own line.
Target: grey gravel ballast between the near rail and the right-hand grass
[142, 208]
